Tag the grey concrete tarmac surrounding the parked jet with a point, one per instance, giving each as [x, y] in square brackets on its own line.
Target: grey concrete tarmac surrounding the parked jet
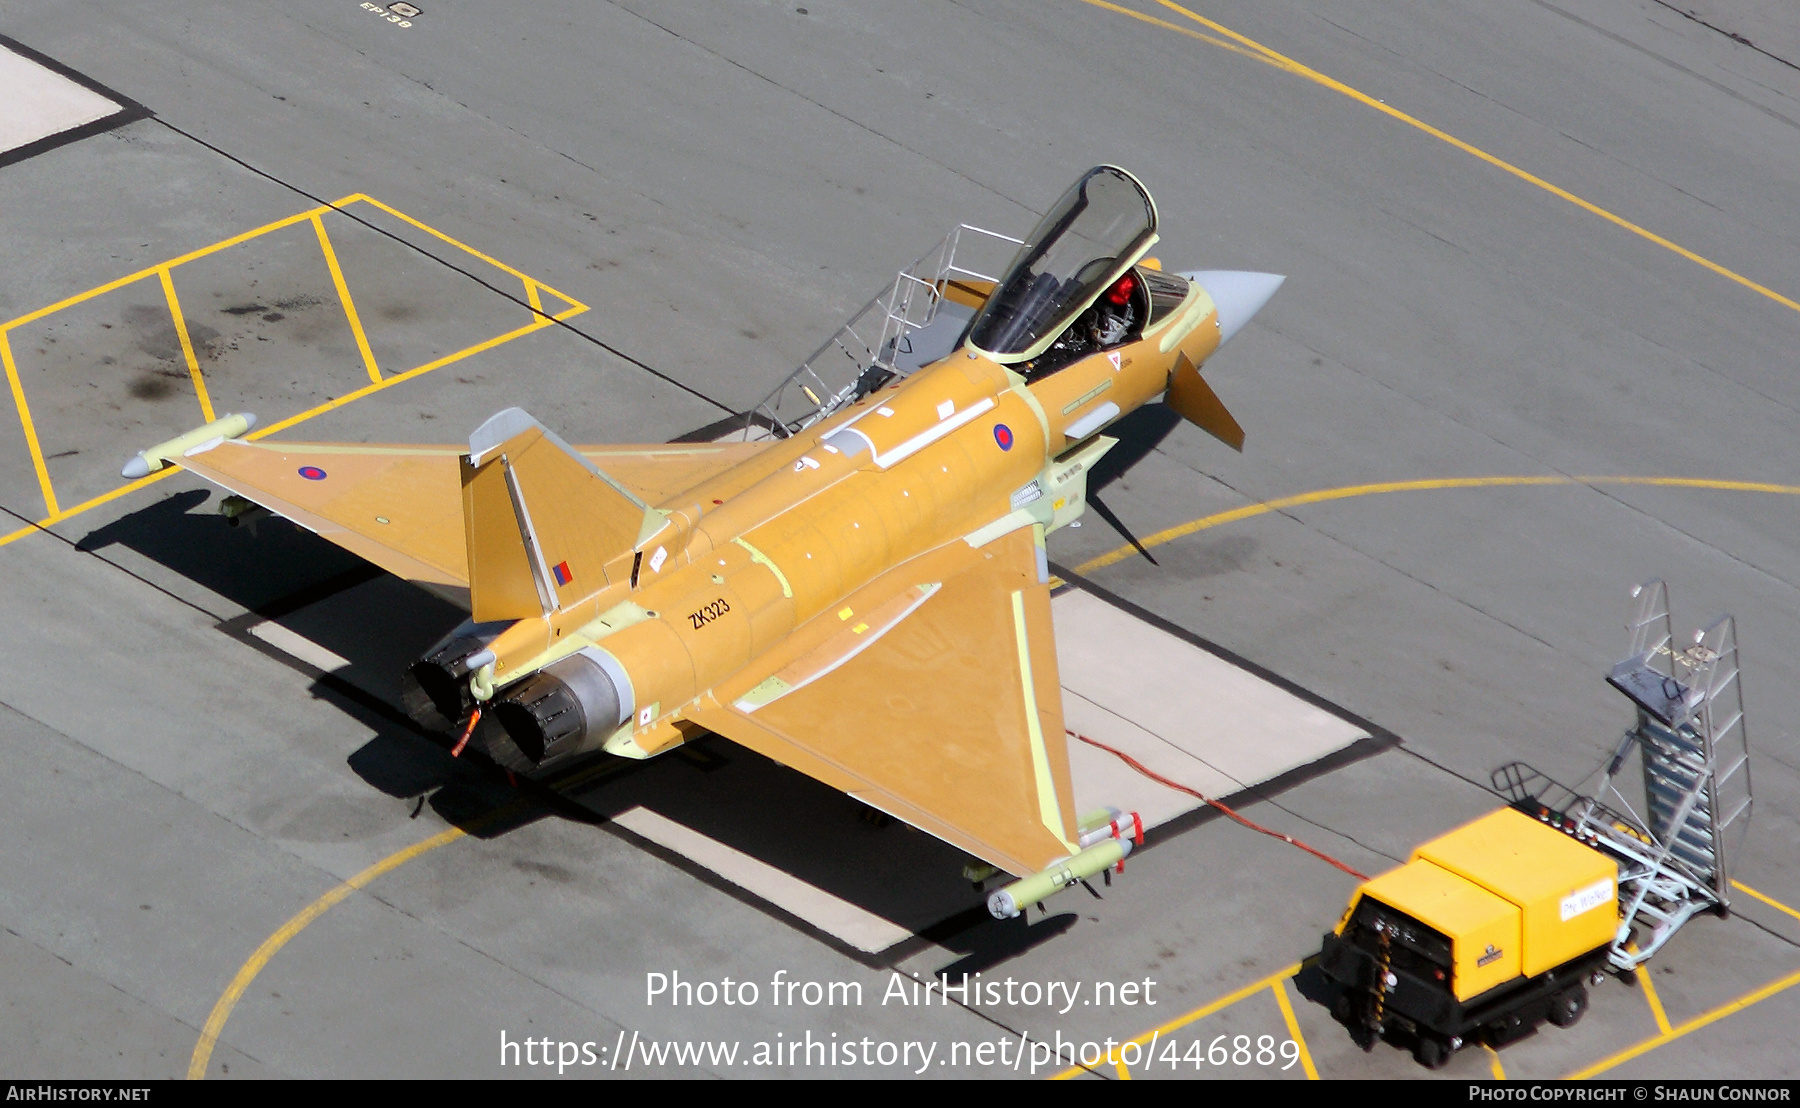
[1524, 238]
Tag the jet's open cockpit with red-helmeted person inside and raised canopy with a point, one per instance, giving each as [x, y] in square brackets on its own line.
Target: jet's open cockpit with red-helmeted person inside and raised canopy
[1074, 290]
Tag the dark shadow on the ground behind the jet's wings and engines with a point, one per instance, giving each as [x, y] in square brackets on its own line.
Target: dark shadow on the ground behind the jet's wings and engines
[379, 625]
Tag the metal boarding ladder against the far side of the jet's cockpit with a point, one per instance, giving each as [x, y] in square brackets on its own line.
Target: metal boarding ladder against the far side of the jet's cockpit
[886, 339]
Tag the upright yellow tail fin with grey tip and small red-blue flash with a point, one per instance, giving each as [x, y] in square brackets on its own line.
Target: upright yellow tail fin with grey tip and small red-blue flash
[544, 526]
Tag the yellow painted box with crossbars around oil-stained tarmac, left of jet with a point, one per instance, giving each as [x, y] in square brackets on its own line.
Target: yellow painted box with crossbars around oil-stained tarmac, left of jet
[55, 514]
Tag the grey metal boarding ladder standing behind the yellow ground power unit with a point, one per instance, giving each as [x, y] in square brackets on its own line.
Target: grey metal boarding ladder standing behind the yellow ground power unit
[1675, 852]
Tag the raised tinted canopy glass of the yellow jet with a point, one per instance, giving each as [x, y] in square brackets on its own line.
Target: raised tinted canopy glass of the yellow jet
[1090, 237]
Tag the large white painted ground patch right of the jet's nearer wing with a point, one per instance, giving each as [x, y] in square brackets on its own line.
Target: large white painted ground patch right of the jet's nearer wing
[1178, 710]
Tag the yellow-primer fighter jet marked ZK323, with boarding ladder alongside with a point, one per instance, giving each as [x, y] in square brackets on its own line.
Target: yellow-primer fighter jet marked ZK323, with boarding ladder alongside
[858, 589]
